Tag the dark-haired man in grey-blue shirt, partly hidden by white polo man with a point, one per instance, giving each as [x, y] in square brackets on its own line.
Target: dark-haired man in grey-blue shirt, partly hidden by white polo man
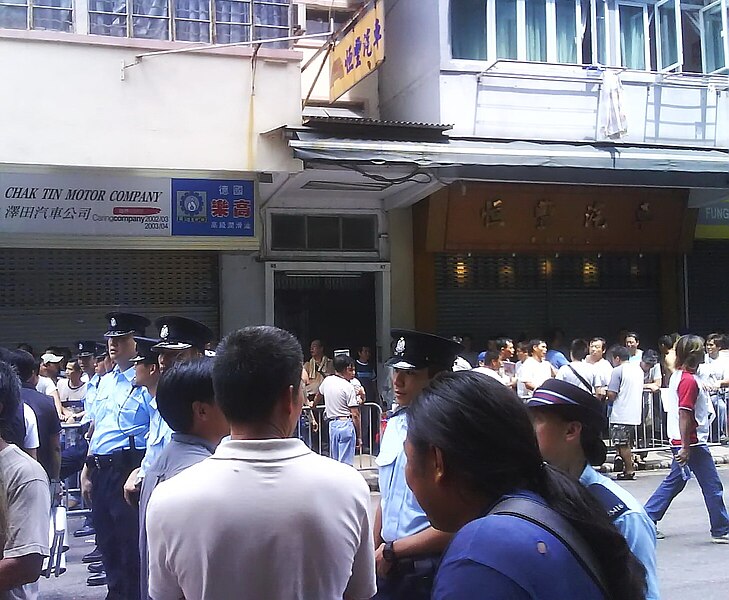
[186, 402]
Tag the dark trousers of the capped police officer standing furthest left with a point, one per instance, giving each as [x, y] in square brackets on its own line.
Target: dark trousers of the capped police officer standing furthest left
[117, 531]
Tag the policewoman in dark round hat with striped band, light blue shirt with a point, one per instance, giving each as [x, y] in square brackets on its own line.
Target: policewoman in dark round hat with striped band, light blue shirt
[568, 421]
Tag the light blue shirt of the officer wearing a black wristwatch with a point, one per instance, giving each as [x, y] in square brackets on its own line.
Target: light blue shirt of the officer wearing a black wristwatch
[401, 514]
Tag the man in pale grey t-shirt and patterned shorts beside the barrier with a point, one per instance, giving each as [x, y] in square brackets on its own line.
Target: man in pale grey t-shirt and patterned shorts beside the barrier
[625, 391]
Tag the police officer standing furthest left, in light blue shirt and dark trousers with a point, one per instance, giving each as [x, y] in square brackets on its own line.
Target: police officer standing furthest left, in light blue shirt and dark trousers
[120, 415]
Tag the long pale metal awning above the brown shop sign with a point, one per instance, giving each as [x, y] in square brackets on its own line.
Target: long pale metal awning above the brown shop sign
[583, 163]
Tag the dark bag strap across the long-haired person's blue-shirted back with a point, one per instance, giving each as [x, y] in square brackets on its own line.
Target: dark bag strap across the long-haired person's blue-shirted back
[554, 523]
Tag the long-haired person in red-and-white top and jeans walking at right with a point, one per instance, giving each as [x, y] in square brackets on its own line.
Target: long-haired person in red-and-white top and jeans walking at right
[689, 424]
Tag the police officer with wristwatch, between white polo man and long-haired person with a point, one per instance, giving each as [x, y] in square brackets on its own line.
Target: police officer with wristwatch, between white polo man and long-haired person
[408, 548]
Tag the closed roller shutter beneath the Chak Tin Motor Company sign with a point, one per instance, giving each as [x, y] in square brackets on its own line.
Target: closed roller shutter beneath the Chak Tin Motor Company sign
[54, 297]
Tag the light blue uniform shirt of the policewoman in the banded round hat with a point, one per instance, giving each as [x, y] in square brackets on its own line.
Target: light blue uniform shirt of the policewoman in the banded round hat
[630, 519]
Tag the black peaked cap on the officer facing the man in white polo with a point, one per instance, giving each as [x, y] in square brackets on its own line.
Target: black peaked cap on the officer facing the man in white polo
[417, 350]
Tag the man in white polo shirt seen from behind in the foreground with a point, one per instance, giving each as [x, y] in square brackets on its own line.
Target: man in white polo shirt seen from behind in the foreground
[264, 517]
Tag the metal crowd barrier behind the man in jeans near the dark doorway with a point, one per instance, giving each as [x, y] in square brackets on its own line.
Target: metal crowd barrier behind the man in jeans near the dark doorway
[317, 436]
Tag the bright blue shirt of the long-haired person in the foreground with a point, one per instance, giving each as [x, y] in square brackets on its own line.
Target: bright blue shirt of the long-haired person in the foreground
[498, 556]
